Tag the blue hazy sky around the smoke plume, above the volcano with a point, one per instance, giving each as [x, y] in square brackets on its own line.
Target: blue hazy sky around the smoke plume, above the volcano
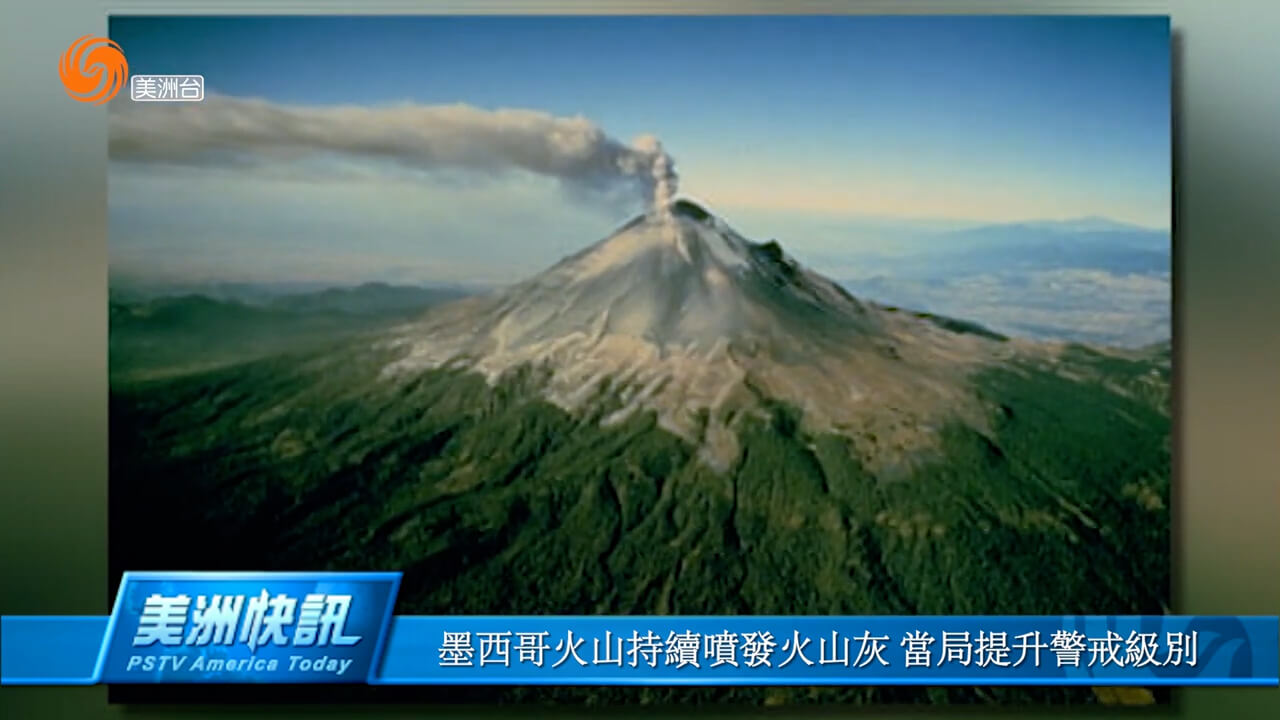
[779, 125]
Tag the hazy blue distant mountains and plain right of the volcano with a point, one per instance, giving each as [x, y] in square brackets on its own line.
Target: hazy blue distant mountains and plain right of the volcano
[1086, 281]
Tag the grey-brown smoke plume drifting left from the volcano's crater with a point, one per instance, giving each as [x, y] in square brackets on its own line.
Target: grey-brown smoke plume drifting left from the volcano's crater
[226, 130]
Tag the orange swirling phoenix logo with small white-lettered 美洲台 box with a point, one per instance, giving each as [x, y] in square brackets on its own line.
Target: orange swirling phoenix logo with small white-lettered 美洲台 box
[94, 70]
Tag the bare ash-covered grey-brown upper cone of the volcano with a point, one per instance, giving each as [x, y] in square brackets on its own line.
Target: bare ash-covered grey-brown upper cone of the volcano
[679, 315]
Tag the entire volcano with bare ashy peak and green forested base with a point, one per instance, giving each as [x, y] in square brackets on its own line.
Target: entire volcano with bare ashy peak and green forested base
[675, 421]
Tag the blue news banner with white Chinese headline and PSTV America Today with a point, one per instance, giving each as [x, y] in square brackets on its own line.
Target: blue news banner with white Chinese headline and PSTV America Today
[340, 628]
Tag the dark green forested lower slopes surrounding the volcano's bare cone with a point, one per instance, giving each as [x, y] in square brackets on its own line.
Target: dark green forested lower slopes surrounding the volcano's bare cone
[493, 502]
